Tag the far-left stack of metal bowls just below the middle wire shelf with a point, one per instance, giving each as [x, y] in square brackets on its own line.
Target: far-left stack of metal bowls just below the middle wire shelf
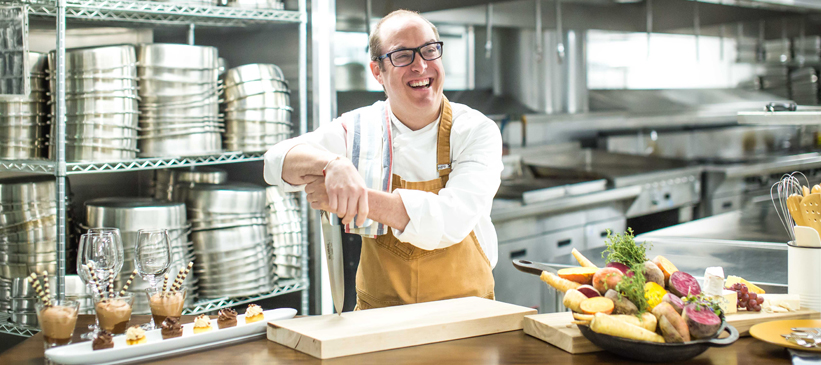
[28, 229]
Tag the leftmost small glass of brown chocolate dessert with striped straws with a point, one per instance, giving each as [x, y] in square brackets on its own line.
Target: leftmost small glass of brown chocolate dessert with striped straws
[57, 321]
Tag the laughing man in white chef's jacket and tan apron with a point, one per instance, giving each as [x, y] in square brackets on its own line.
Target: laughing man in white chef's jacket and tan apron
[414, 175]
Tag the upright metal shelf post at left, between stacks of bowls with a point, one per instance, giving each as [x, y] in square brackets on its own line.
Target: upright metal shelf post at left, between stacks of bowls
[60, 159]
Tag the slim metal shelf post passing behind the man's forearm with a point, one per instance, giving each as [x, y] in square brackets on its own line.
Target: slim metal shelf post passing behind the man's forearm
[303, 128]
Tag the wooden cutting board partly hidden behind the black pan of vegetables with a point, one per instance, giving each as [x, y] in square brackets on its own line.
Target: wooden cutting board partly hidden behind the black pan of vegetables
[557, 330]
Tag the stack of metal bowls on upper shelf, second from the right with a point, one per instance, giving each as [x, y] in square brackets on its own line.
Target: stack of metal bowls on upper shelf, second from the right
[180, 100]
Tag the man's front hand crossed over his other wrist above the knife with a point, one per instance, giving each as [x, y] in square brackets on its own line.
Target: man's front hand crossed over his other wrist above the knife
[346, 193]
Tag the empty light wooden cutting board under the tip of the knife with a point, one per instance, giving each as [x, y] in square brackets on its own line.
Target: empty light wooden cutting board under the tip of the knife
[380, 329]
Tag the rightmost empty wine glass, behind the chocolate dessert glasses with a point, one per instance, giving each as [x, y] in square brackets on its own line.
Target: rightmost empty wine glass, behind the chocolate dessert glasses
[152, 257]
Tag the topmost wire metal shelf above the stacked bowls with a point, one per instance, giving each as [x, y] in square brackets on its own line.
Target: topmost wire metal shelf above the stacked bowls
[160, 13]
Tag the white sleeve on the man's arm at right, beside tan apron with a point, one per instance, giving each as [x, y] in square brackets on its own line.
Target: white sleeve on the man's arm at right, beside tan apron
[438, 221]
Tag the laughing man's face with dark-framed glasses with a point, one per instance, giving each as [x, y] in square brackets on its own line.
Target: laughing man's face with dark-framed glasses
[417, 87]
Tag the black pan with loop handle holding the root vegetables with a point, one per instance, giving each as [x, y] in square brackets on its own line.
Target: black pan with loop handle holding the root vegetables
[659, 352]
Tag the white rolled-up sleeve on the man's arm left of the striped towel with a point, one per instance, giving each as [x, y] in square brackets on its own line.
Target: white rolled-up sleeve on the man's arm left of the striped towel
[329, 137]
